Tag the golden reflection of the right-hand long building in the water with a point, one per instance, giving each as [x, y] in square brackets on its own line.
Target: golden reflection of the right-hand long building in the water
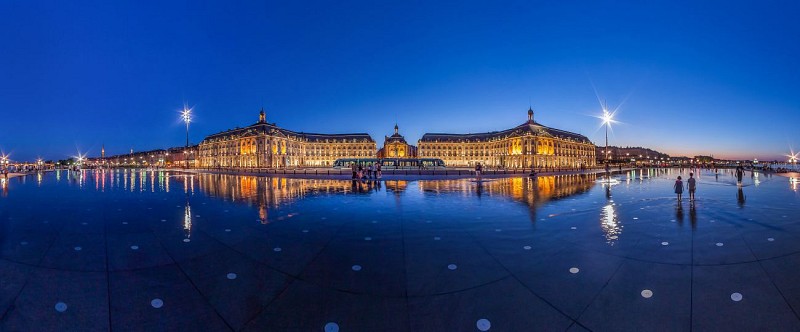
[531, 191]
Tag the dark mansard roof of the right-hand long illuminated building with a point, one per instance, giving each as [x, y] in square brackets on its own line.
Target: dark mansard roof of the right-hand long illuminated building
[530, 127]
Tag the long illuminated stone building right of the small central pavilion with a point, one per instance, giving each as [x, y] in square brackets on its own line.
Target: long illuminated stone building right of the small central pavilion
[527, 145]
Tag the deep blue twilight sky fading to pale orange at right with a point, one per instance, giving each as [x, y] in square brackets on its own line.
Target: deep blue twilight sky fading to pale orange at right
[694, 77]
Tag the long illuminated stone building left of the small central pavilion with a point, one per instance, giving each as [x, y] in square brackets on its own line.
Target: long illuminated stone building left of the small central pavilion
[265, 145]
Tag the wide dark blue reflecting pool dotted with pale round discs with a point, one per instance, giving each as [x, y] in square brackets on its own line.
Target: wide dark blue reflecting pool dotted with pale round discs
[160, 250]
